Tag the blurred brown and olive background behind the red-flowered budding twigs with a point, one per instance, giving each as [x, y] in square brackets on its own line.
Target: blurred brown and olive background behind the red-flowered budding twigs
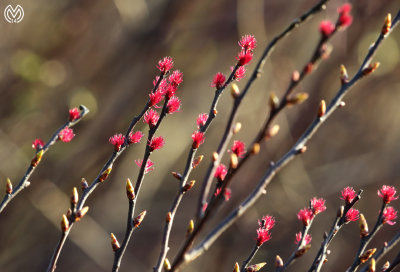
[103, 54]
